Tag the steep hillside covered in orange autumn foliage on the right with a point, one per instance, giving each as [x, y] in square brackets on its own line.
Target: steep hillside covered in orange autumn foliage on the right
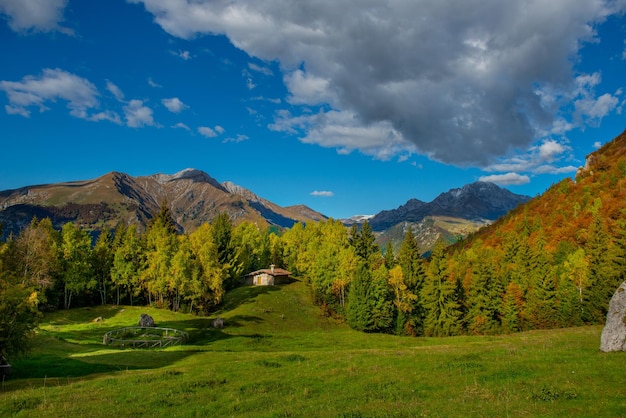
[564, 214]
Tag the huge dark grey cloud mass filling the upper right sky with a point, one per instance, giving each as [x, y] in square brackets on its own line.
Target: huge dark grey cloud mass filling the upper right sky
[461, 82]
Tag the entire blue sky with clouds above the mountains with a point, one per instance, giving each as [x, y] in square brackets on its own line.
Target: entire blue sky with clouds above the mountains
[349, 107]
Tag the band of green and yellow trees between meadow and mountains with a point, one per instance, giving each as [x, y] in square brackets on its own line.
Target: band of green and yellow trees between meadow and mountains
[518, 285]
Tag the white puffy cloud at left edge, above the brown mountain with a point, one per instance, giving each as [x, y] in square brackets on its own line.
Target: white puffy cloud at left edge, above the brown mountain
[52, 85]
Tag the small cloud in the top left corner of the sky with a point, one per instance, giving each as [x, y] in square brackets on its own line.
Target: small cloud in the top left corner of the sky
[35, 15]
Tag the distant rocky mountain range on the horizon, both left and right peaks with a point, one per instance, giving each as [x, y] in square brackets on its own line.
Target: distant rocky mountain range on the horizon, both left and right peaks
[194, 197]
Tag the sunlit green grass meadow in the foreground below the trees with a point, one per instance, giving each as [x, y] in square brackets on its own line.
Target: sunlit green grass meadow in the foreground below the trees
[277, 357]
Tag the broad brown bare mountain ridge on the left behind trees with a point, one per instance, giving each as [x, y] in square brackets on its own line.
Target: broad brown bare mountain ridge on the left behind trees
[194, 197]
